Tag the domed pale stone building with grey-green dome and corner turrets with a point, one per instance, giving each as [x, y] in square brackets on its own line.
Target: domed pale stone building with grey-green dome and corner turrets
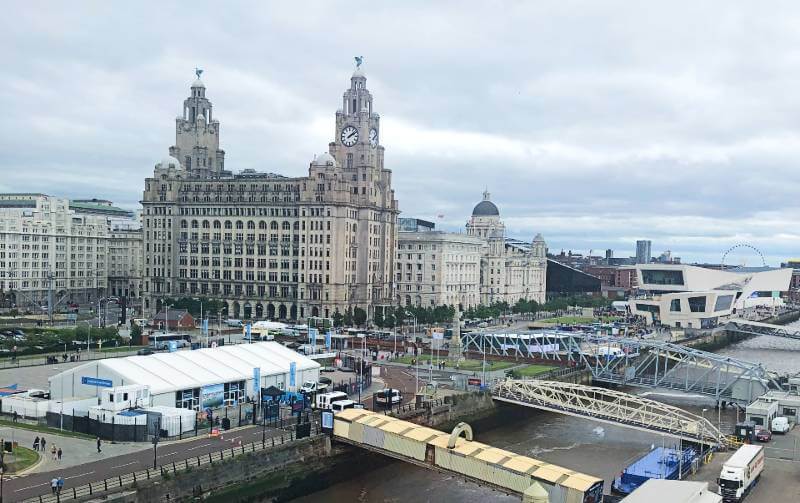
[510, 269]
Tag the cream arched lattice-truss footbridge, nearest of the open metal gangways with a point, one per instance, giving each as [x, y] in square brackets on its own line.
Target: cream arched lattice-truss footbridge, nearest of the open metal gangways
[608, 406]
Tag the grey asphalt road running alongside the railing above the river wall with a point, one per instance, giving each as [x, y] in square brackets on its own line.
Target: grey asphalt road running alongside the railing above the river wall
[35, 484]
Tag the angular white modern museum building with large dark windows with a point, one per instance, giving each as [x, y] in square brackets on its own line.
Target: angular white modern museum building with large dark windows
[685, 296]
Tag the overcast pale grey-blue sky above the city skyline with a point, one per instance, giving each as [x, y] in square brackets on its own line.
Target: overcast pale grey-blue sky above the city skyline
[595, 123]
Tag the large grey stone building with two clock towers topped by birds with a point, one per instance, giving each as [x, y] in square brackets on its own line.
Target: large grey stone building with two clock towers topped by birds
[272, 246]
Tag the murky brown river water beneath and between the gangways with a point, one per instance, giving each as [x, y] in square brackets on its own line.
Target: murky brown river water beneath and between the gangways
[598, 449]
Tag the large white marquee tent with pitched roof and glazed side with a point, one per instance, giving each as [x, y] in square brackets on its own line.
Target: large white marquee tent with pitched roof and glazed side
[190, 379]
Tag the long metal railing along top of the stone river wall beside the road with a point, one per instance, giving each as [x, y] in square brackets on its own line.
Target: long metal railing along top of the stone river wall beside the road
[121, 481]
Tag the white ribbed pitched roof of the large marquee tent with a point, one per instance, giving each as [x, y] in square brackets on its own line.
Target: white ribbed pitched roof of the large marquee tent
[165, 372]
